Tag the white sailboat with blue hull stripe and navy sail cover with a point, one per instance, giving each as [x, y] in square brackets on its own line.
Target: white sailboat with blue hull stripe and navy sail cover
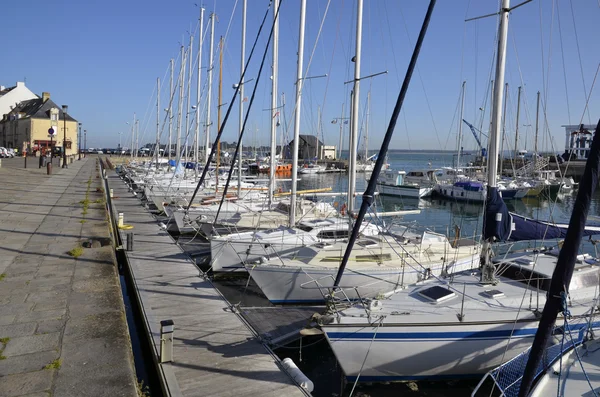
[465, 323]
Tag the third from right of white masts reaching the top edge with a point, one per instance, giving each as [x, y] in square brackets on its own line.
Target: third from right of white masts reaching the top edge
[297, 113]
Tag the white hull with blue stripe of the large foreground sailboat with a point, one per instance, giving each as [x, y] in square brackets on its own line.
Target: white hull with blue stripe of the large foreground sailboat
[434, 351]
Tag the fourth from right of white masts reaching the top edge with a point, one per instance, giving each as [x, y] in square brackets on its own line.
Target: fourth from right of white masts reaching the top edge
[275, 71]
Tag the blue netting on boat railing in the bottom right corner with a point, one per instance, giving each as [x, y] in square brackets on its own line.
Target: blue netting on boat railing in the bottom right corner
[506, 379]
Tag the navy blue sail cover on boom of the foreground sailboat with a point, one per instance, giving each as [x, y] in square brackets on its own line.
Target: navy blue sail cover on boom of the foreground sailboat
[503, 225]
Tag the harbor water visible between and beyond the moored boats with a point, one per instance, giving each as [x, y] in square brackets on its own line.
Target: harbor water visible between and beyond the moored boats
[313, 355]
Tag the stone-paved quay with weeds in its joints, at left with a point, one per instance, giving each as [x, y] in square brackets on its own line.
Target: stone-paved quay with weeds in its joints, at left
[63, 330]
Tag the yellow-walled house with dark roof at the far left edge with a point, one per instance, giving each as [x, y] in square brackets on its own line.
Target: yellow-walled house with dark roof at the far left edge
[27, 125]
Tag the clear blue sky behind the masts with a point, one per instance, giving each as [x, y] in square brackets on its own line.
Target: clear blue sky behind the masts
[102, 59]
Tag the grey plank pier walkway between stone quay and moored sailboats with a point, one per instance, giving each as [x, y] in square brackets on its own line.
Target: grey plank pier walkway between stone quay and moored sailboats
[215, 353]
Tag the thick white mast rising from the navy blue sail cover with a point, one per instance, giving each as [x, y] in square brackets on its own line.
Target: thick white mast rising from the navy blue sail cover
[487, 273]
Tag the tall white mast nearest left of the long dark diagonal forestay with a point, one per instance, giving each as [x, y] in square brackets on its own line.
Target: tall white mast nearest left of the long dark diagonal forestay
[354, 112]
